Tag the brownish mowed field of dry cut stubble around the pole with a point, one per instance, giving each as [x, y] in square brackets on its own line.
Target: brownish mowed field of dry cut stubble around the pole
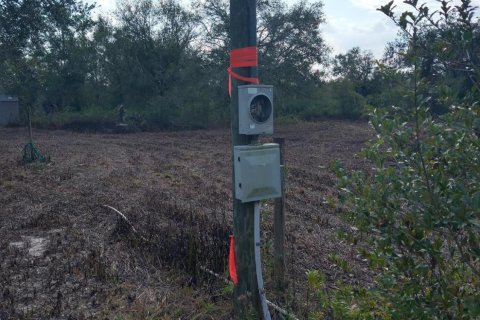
[64, 255]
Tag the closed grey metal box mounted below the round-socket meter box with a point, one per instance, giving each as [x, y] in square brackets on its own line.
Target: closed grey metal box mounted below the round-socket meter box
[257, 172]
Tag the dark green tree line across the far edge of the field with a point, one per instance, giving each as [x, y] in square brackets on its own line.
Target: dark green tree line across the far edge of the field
[166, 63]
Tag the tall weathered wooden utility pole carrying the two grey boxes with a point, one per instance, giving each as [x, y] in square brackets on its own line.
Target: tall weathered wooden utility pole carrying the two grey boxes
[243, 24]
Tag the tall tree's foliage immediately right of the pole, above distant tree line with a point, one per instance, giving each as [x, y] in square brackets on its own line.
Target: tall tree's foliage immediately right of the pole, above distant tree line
[292, 52]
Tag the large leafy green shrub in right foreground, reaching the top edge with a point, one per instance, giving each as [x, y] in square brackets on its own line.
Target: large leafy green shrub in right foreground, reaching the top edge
[419, 208]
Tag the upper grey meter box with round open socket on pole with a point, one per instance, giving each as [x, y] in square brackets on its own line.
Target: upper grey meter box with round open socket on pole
[255, 109]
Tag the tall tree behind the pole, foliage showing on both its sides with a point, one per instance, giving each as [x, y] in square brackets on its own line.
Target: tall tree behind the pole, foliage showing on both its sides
[291, 48]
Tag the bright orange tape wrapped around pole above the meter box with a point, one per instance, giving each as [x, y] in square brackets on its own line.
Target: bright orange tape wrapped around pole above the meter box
[240, 58]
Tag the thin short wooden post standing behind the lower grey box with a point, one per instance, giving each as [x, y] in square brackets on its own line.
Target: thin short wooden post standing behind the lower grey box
[279, 227]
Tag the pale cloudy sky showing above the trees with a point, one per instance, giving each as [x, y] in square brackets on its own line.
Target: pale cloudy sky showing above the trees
[349, 23]
